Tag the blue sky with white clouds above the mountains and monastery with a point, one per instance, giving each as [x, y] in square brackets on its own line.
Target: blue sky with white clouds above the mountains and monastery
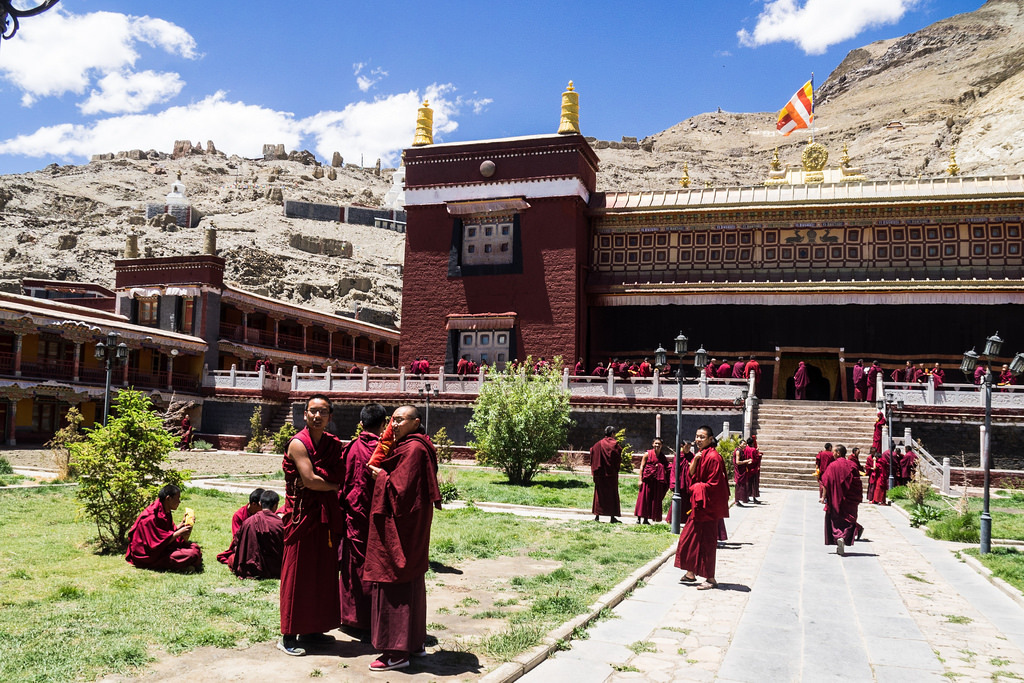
[96, 76]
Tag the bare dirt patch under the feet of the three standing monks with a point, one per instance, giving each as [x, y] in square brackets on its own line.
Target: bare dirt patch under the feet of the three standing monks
[453, 597]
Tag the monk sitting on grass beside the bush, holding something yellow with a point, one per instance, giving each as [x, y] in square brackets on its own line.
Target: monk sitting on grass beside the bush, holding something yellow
[154, 541]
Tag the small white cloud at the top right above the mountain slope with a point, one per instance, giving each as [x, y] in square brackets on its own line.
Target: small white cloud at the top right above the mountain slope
[817, 25]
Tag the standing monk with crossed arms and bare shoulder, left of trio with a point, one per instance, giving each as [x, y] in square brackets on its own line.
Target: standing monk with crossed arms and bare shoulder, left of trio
[310, 603]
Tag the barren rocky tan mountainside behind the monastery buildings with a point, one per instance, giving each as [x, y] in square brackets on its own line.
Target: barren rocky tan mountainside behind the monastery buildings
[956, 84]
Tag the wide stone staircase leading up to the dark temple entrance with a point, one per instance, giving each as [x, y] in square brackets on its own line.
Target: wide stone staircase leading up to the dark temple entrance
[791, 434]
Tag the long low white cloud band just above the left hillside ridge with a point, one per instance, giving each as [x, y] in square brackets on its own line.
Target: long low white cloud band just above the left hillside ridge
[380, 129]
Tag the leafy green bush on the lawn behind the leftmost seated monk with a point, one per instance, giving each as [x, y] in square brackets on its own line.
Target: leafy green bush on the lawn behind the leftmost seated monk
[120, 467]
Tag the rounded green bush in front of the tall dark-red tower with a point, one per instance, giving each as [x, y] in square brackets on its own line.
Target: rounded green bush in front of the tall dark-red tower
[521, 419]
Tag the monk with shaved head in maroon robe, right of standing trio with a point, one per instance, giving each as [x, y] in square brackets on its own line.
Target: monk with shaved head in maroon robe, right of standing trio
[405, 497]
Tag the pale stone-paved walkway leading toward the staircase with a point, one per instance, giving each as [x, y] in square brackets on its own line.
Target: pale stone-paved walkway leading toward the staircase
[899, 608]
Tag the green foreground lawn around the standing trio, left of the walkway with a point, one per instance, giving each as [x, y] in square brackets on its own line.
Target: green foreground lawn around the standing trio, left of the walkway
[69, 614]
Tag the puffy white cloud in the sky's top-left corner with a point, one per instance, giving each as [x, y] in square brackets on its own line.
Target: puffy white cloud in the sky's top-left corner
[64, 53]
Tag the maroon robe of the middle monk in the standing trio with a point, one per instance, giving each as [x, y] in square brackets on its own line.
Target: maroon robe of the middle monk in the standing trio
[356, 497]
